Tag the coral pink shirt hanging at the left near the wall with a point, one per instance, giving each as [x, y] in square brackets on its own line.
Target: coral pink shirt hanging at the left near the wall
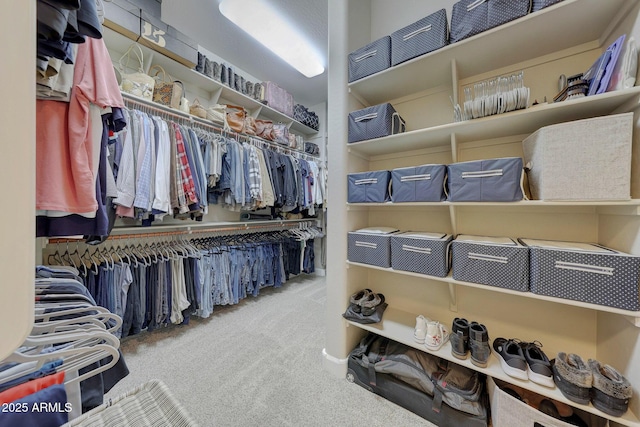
[64, 166]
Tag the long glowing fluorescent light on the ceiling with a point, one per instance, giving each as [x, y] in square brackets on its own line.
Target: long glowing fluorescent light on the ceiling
[266, 25]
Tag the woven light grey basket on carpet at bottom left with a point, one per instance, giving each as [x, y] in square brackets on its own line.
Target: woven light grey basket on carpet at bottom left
[150, 404]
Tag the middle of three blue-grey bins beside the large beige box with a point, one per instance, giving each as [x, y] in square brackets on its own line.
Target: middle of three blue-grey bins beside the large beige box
[423, 183]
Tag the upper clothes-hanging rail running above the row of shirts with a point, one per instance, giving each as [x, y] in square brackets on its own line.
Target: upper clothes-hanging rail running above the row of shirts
[187, 119]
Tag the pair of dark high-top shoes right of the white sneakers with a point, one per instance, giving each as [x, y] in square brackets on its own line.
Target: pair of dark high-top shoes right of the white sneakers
[470, 338]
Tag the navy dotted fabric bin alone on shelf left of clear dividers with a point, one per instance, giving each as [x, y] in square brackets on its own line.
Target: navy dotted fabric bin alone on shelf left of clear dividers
[374, 122]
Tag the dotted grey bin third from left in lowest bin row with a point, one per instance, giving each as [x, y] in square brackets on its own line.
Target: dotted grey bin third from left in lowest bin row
[493, 261]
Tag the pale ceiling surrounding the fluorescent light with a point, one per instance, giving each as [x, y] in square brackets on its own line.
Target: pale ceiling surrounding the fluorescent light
[202, 21]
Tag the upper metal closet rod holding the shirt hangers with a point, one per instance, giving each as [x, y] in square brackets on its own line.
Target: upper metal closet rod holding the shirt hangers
[167, 112]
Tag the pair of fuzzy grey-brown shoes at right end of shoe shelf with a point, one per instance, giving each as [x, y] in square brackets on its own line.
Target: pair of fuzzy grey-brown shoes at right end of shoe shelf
[606, 388]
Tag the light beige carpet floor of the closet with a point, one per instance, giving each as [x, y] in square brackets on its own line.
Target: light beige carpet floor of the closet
[258, 363]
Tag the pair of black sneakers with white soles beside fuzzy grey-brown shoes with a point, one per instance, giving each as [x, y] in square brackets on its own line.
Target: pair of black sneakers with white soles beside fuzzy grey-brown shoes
[524, 360]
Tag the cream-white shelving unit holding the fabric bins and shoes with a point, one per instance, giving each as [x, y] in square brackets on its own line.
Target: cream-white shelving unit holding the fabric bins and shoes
[564, 38]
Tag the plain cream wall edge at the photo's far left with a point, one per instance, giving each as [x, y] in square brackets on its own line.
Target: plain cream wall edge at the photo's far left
[17, 149]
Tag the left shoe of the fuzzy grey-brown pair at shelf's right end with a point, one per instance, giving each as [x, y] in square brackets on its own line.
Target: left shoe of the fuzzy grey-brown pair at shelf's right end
[573, 377]
